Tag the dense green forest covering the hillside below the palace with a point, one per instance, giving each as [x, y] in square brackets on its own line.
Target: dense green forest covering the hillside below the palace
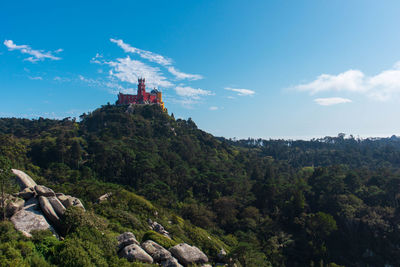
[333, 201]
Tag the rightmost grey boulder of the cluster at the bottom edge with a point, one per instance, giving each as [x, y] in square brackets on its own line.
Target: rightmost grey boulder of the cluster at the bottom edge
[187, 254]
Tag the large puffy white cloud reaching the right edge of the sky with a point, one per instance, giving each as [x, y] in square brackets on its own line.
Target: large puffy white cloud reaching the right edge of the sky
[382, 86]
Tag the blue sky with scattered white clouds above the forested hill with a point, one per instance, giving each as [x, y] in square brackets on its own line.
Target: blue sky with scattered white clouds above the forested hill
[270, 69]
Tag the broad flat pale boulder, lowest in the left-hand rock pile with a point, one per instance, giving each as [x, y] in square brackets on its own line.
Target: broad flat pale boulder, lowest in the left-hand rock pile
[30, 218]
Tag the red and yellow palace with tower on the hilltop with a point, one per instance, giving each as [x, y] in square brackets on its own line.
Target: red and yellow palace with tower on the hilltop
[142, 97]
